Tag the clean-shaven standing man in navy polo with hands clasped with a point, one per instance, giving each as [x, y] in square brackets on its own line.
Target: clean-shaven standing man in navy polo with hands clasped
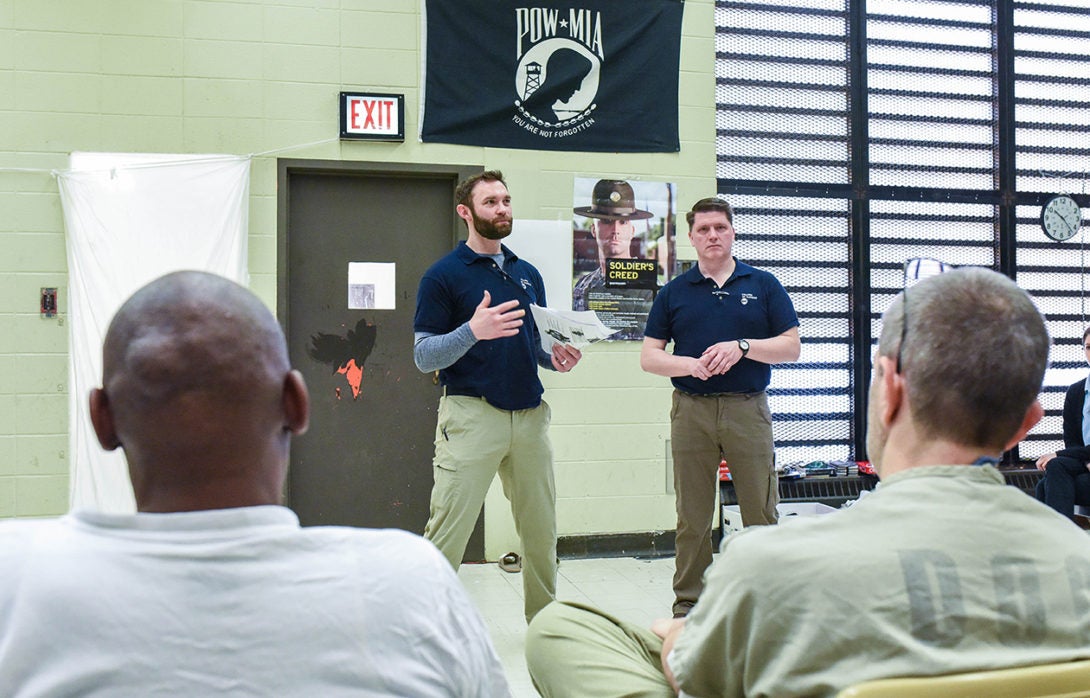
[729, 323]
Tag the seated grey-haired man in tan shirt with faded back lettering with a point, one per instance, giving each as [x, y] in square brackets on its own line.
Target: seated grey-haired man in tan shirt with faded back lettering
[944, 569]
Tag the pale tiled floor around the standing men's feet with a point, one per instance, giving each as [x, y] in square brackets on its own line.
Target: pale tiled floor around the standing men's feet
[637, 591]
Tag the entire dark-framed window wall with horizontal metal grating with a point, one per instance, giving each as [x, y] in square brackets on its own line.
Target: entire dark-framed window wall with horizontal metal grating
[854, 137]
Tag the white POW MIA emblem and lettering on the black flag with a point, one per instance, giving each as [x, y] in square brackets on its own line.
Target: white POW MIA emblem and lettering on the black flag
[561, 58]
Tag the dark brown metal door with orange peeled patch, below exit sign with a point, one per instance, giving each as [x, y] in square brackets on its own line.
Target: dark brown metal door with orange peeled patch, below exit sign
[367, 460]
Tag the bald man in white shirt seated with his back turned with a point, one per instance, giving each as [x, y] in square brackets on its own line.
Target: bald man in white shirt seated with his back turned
[213, 588]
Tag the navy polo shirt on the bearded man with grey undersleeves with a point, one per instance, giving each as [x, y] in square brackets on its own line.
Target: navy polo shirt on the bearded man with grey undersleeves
[503, 371]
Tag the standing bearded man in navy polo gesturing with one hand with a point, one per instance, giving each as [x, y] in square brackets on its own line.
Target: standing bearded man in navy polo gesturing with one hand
[469, 327]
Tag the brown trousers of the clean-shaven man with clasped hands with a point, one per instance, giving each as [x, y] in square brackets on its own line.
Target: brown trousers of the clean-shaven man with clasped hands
[705, 430]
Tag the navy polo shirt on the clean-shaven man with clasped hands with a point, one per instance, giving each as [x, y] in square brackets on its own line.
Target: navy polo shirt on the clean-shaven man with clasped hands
[695, 314]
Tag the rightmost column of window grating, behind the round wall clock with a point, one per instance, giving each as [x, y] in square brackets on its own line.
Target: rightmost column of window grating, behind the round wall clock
[1052, 111]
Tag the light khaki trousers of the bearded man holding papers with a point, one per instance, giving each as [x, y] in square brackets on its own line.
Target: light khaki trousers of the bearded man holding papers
[475, 442]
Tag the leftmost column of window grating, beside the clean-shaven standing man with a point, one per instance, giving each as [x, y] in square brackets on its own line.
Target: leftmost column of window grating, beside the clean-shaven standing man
[782, 78]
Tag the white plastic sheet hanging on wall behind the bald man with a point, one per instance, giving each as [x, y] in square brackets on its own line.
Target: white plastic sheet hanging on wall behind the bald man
[131, 219]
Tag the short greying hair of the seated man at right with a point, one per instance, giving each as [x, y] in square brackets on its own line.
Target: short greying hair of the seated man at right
[975, 355]
